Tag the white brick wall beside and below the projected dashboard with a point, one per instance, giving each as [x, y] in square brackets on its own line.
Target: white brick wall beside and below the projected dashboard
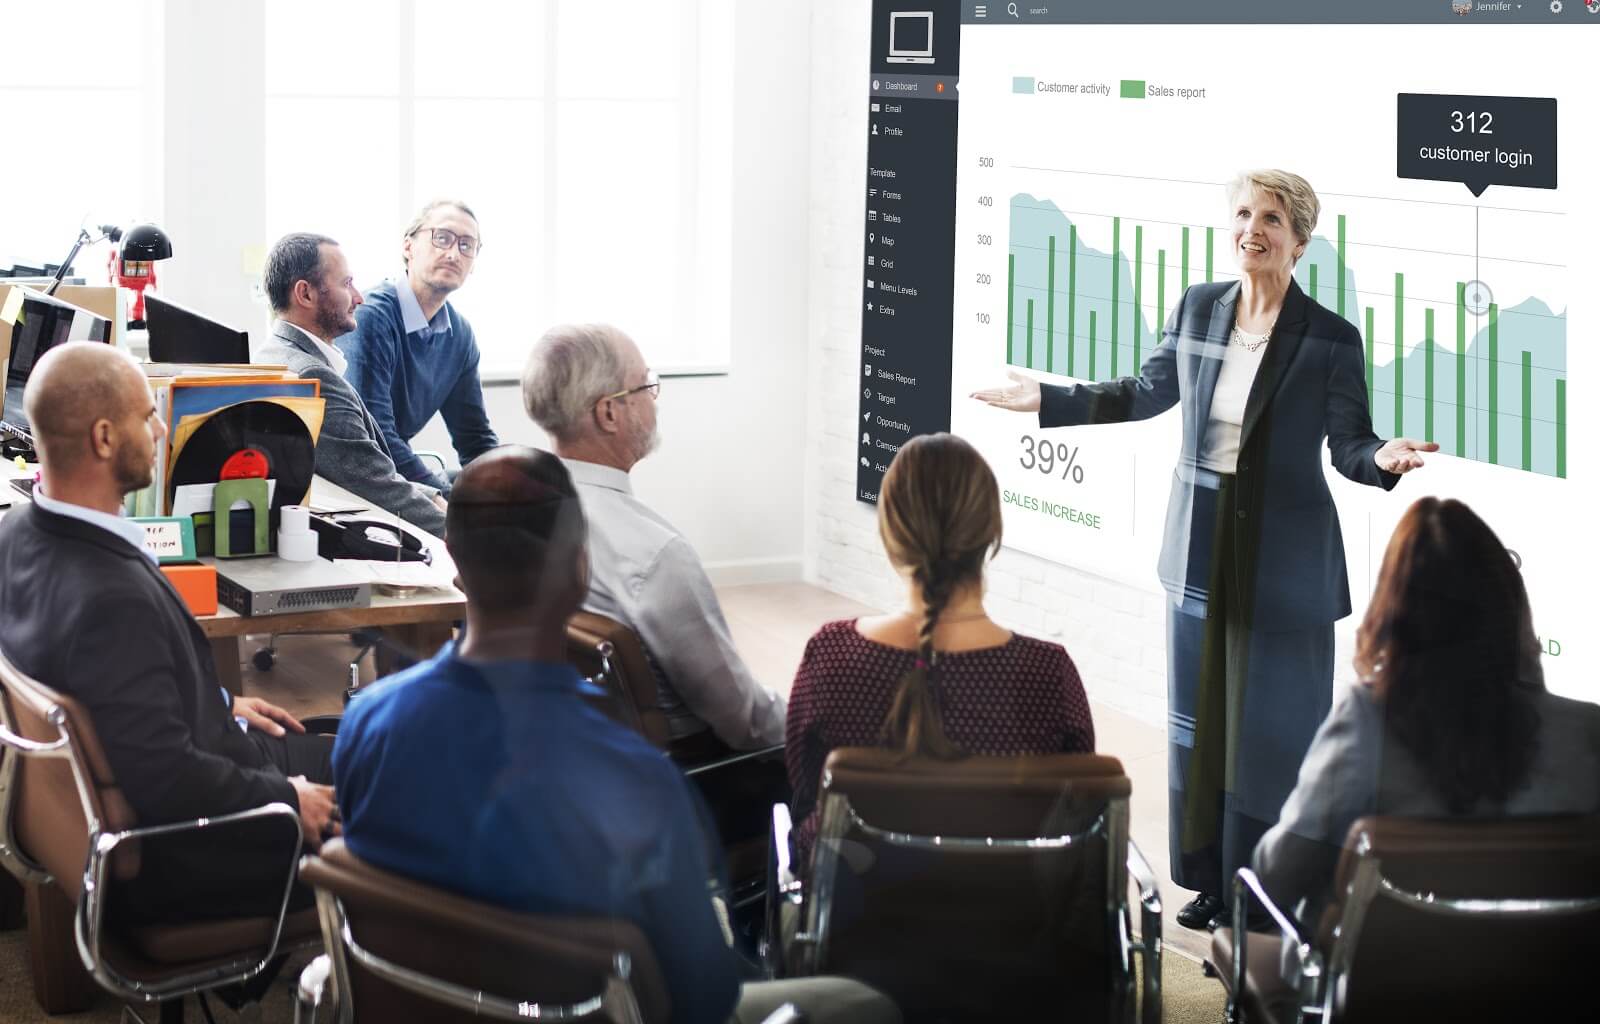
[1114, 633]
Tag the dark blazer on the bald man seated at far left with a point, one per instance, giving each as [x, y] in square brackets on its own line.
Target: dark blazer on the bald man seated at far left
[89, 615]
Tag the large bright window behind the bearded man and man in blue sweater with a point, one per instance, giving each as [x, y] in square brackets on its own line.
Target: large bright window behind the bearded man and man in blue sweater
[598, 161]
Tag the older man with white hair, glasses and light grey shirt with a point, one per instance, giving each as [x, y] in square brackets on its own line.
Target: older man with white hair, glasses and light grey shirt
[590, 388]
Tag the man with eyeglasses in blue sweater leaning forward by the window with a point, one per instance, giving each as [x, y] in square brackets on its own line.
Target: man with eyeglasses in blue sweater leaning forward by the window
[414, 354]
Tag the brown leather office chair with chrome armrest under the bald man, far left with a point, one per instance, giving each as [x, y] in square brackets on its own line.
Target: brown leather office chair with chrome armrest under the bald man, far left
[68, 831]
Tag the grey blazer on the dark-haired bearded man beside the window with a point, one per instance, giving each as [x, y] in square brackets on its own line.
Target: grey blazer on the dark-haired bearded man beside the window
[351, 447]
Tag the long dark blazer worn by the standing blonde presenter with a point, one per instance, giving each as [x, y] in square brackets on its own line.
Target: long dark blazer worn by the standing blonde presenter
[1311, 388]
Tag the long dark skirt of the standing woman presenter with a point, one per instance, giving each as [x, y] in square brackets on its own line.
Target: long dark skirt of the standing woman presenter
[1242, 708]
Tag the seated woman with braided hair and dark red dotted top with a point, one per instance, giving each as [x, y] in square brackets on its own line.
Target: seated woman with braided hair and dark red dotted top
[938, 678]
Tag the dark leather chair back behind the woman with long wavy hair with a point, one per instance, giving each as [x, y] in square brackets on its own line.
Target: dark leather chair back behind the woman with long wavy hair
[1412, 959]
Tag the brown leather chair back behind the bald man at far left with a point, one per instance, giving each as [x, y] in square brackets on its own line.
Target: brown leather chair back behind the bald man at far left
[47, 812]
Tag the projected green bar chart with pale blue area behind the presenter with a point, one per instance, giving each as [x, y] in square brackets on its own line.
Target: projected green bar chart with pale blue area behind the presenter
[1089, 292]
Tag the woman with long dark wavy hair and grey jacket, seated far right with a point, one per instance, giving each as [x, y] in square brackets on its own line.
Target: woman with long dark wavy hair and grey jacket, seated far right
[1450, 719]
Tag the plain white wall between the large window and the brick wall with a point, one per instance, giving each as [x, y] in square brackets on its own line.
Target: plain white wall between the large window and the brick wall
[730, 471]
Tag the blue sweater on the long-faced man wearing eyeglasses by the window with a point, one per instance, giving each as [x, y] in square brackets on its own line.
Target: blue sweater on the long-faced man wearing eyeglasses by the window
[406, 378]
